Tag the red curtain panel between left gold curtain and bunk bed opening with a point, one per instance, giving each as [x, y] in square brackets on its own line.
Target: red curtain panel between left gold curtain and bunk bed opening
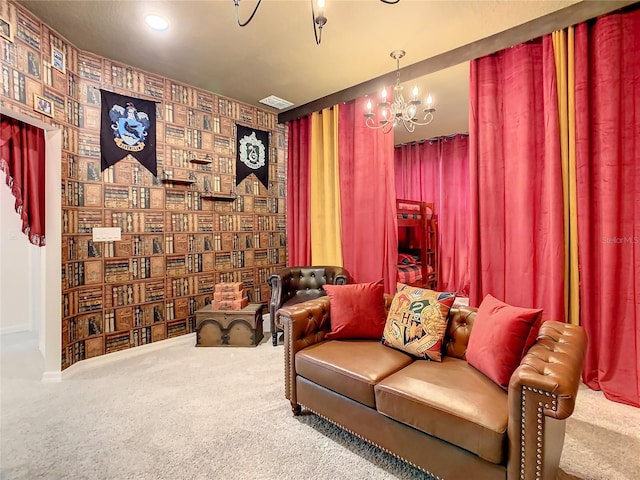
[367, 198]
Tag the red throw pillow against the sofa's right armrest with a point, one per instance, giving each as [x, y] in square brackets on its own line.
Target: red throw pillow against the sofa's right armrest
[500, 337]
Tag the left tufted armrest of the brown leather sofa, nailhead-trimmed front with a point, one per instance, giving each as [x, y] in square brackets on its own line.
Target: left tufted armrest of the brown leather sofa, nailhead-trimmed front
[304, 324]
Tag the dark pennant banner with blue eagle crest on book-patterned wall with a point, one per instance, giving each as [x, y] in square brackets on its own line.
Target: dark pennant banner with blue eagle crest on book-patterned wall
[128, 127]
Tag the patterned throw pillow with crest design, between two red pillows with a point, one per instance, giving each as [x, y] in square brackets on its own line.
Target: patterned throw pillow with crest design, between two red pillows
[417, 321]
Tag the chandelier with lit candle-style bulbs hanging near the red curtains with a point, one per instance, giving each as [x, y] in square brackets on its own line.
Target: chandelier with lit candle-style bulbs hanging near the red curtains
[400, 111]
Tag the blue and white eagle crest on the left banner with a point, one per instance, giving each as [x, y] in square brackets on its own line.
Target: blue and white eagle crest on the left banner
[130, 127]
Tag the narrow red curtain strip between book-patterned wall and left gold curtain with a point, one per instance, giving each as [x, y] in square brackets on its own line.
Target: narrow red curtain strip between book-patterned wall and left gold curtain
[298, 193]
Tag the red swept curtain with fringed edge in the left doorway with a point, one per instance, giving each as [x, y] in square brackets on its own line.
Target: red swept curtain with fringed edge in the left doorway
[22, 154]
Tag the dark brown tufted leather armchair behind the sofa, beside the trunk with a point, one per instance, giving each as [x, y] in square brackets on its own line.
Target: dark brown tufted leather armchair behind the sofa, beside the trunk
[298, 284]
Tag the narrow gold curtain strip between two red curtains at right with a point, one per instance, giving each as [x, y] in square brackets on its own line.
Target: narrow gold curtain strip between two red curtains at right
[563, 46]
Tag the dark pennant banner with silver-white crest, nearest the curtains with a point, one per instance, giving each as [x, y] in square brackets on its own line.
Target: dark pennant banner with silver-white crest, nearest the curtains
[252, 150]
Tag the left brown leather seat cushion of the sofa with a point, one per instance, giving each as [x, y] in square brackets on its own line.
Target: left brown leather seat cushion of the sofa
[350, 367]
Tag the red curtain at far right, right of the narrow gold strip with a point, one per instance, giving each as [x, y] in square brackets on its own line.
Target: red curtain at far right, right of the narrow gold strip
[607, 89]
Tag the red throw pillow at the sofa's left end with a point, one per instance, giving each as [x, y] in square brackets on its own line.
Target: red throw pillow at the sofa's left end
[357, 310]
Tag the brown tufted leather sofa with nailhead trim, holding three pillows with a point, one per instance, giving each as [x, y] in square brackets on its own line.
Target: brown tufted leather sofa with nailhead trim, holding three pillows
[447, 419]
